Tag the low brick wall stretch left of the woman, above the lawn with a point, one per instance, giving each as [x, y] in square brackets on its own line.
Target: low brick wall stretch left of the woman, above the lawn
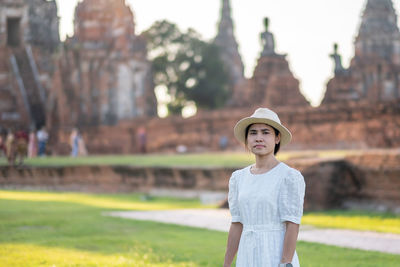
[114, 178]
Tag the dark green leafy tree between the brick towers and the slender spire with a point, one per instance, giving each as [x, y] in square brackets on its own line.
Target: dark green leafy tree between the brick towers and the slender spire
[190, 69]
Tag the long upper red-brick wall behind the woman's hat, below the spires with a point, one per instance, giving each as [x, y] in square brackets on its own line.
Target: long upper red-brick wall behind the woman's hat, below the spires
[330, 127]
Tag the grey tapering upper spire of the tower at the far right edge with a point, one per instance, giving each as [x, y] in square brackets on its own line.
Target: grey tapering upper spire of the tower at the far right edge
[379, 34]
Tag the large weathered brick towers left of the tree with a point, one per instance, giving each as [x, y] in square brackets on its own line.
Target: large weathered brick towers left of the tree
[98, 76]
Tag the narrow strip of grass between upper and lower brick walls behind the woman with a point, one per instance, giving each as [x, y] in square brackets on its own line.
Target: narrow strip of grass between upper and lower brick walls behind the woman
[227, 159]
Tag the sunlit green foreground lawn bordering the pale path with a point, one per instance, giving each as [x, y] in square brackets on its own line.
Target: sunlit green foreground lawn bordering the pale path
[67, 229]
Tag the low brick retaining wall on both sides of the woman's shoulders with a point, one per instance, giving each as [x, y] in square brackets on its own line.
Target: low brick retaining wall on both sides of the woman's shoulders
[366, 181]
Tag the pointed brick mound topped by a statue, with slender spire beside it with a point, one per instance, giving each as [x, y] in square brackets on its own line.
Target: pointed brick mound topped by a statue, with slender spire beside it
[272, 79]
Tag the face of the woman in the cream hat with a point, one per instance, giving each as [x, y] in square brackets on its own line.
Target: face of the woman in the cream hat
[261, 139]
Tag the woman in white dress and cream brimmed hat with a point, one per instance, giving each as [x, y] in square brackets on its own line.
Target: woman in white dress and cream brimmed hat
[265, 199]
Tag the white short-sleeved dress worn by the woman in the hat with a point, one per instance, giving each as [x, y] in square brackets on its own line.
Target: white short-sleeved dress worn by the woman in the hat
[262, 203]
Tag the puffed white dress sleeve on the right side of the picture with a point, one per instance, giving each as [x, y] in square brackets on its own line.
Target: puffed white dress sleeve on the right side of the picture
[291, 197]
